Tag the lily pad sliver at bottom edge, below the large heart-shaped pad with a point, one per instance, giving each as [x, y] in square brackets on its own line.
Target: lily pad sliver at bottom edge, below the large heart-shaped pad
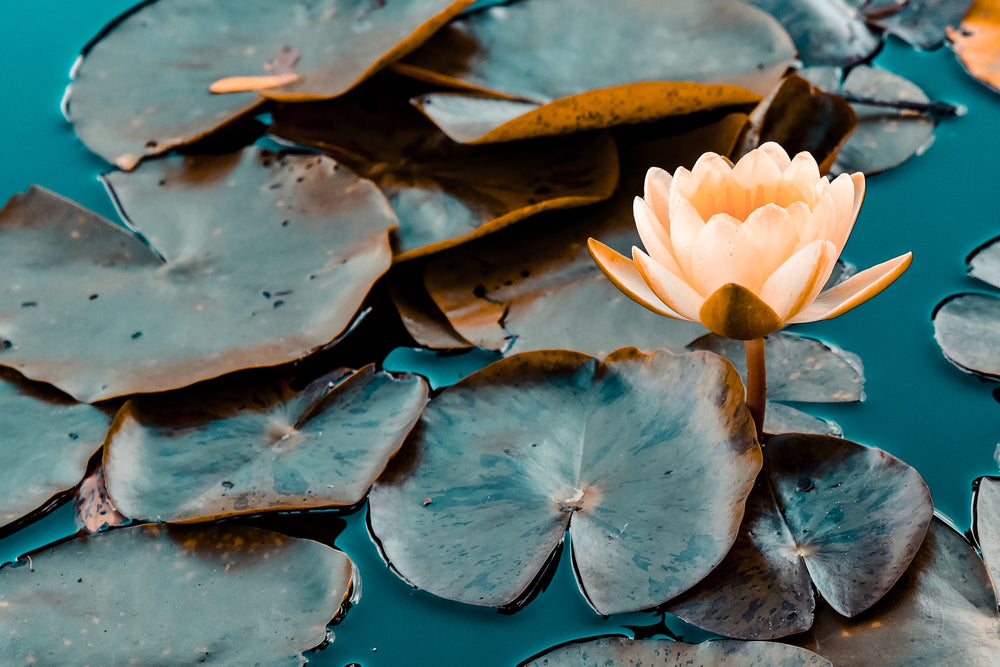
[622, 652]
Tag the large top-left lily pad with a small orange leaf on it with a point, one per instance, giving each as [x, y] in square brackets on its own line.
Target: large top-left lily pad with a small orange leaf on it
[142, 87]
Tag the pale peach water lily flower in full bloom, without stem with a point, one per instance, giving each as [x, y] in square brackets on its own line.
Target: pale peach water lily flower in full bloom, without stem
[745, 249]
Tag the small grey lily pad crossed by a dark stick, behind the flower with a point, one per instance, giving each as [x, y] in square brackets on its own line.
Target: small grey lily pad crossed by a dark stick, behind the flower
[884, 137]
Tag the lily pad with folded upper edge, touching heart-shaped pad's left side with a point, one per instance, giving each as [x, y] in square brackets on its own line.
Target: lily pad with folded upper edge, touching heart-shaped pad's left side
[208, 452]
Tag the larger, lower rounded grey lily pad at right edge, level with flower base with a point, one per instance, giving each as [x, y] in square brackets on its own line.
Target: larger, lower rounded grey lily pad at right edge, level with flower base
[967, 328]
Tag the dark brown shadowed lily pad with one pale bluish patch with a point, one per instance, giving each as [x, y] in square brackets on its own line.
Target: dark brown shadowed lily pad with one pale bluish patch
[446, 193]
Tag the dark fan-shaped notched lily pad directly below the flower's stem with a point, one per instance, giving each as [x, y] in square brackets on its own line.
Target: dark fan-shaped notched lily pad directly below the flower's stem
[846, 517]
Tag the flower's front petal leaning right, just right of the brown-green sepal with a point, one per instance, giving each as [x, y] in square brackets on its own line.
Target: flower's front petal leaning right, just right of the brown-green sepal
[797, 282]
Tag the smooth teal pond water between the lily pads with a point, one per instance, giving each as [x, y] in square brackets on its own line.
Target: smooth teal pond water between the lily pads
[940, 205]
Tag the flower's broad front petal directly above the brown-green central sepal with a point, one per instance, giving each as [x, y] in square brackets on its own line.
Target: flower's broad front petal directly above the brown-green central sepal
[723, 255]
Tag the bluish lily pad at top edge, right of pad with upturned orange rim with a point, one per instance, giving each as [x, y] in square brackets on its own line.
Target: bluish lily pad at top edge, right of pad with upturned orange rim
[826, 32]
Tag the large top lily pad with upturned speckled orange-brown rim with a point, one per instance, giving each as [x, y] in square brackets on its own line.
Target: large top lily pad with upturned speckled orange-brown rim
[563, 65]
